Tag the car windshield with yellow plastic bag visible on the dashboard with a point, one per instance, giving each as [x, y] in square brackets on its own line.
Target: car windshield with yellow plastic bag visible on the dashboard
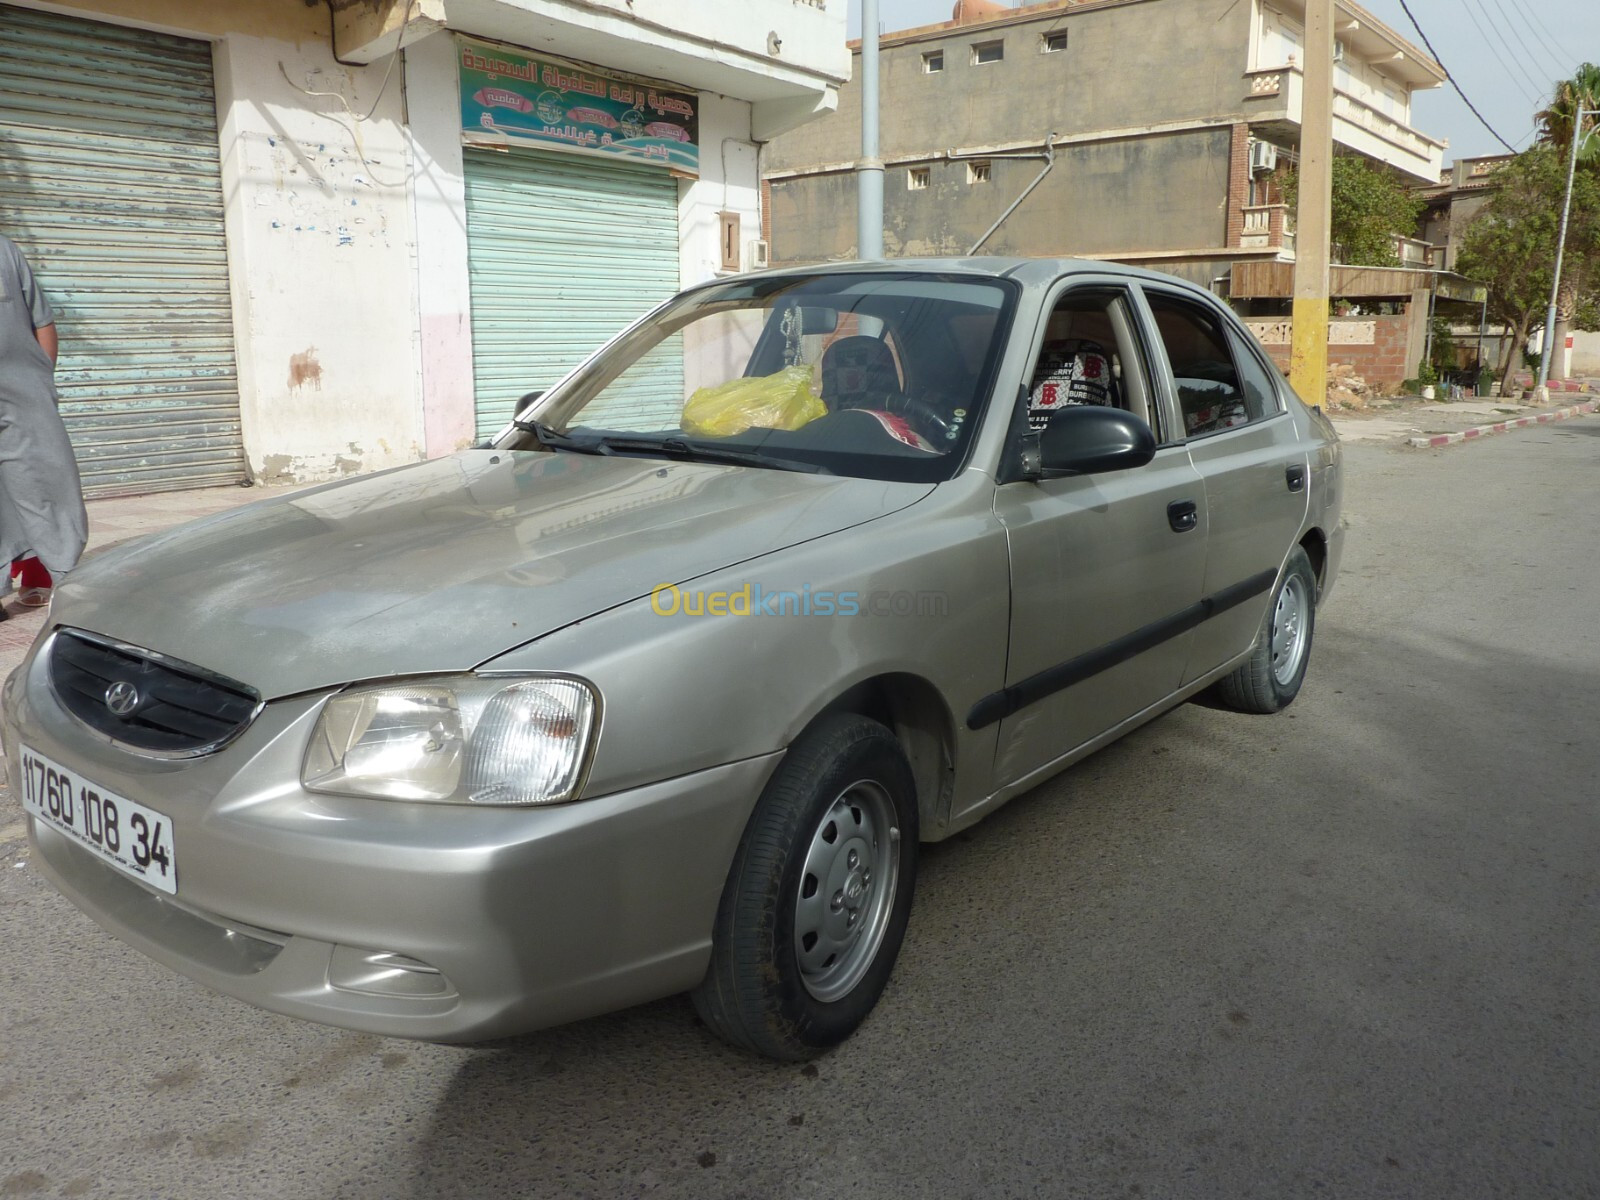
[870, 375]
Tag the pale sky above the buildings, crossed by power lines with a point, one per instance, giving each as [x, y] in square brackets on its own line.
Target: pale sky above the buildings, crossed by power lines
[1506, 55]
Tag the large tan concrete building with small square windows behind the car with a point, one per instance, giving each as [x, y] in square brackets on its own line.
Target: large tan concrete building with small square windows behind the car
[1161, 122]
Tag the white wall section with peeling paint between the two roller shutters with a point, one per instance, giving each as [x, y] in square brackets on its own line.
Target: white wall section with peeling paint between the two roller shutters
[321, 249]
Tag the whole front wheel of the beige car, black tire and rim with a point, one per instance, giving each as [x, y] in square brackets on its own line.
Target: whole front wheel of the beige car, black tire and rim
[815, 908]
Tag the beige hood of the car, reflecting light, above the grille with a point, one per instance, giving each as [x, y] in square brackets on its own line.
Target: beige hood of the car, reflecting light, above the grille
[447, 564]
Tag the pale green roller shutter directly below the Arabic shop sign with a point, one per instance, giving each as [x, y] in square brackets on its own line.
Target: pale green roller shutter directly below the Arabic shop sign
[564, 252]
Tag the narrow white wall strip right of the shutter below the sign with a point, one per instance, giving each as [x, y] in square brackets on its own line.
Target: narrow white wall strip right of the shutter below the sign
[729, 183]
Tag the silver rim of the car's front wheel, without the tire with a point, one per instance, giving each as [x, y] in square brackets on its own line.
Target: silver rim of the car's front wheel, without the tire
[847, 890]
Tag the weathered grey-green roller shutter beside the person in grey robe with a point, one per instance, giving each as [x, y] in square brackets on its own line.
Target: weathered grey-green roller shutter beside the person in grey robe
[111, 185]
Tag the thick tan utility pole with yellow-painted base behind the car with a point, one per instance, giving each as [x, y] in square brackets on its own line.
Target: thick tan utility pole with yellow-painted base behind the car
[1314, 218]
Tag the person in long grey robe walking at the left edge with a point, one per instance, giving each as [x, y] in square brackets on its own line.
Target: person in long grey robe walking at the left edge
[41, 495]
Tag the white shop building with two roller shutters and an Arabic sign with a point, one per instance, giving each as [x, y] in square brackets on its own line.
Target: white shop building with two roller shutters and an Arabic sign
[290, 241]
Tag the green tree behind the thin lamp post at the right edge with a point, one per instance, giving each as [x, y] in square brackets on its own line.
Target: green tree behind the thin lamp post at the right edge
[1511, 244]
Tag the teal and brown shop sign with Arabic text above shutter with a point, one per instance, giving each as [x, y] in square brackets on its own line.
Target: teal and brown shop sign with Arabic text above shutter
[559, 106]
